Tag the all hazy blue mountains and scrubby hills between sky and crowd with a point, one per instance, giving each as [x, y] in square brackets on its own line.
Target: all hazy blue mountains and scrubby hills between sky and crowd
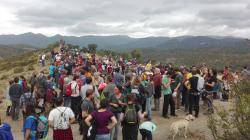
[216, 51]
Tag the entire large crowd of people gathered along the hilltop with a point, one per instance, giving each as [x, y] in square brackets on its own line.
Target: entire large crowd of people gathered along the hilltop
[103, 94]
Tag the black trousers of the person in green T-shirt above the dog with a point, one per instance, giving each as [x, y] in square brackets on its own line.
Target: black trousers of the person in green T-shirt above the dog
[168, 100]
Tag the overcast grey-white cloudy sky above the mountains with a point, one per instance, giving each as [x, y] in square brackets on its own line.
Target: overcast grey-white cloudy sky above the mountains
[136, 18]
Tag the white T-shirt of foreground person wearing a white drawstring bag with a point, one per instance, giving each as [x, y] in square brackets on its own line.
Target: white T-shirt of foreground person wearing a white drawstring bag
[54, 116]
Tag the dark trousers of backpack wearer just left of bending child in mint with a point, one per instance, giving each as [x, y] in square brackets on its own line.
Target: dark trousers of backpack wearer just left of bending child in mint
[130, 132]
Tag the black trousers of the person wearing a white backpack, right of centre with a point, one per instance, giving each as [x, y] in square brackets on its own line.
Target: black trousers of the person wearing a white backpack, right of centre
[194, 99]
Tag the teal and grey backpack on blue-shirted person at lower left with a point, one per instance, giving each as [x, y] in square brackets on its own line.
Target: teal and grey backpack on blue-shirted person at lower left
[42, 127]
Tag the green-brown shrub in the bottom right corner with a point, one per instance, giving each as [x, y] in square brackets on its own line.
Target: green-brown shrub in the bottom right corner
[233, 123]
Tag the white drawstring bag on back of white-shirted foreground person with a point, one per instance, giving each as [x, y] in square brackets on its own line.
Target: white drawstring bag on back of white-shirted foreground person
[62, 123]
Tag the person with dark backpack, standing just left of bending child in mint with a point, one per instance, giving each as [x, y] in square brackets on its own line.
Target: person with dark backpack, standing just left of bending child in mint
[130, 118]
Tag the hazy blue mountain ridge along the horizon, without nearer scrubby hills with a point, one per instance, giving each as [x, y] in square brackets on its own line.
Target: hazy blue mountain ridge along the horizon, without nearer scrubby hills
[119, 42]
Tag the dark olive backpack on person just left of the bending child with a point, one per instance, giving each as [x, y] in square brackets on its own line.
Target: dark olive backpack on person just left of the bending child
[131, 117]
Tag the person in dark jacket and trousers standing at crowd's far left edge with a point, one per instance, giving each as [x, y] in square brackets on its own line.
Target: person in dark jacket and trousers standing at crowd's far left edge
[15, 93]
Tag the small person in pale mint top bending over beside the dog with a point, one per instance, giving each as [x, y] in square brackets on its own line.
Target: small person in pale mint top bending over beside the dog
[146, 130]
